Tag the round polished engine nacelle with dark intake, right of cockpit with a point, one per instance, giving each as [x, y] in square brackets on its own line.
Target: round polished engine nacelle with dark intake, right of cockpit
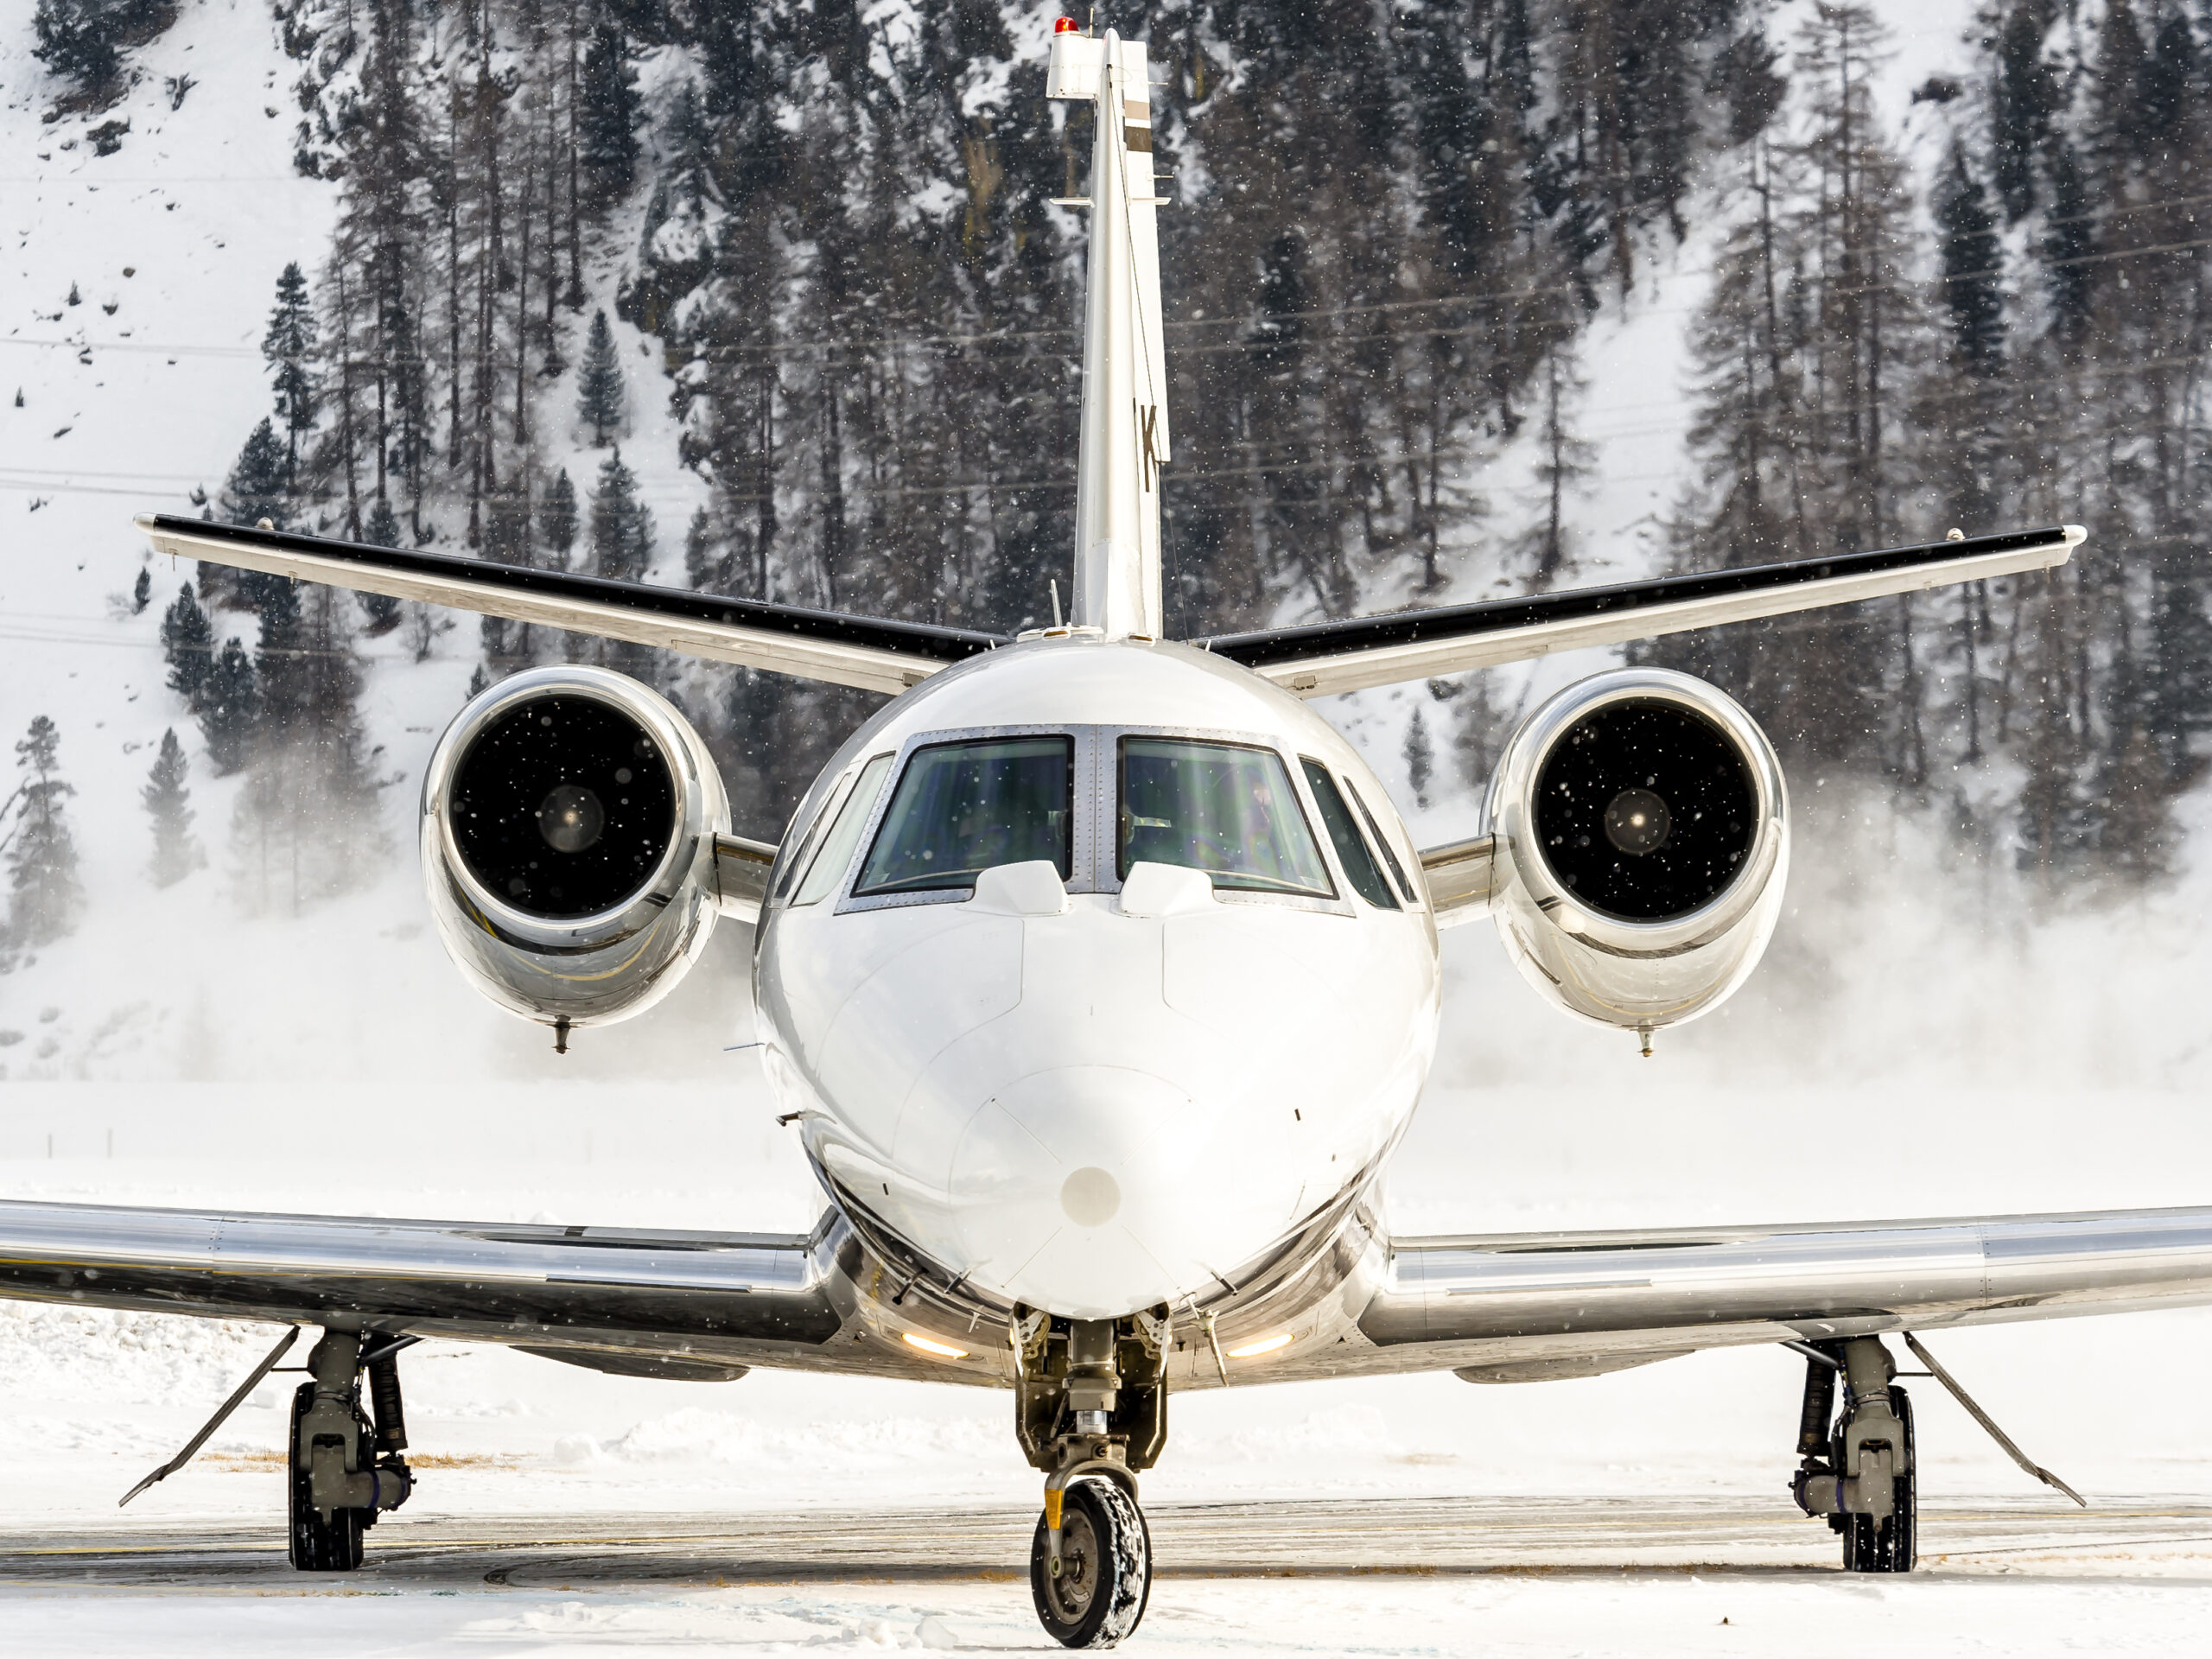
[1642, 844]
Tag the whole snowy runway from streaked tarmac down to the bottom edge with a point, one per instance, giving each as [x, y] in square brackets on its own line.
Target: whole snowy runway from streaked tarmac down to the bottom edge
[1271, 1578]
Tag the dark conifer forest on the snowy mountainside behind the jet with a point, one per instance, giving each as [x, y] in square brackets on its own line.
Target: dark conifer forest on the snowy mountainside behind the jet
[775, 302]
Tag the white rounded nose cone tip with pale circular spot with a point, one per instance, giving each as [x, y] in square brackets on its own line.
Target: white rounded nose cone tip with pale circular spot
[1096, 1191]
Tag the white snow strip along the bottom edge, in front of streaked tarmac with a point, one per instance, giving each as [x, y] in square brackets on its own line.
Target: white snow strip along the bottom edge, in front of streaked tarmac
[1656, 1618]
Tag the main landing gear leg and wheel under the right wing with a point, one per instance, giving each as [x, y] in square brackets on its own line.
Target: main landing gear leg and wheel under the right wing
[1859, 1470]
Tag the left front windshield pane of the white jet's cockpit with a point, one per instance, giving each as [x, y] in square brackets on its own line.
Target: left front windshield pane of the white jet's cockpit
[963, 808]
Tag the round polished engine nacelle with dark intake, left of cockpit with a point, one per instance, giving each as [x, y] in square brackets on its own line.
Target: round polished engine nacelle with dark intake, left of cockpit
[570, 824]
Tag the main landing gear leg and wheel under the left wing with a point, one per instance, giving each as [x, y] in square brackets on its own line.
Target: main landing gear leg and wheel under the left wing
[346, 1468]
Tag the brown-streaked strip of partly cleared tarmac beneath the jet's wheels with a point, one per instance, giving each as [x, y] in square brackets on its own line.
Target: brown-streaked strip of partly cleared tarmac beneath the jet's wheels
[1313, 1538]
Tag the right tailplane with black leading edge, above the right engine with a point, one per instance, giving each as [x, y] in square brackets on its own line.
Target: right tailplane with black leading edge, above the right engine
[1331, 658]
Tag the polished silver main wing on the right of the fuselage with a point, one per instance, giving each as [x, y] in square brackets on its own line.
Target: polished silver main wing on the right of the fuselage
[1521, 1308]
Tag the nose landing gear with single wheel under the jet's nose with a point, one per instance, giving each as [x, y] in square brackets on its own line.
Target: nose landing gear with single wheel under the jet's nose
[1092, 1410]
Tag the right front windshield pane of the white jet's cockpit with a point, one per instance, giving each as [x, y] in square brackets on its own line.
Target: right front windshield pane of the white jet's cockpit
[1222, 808]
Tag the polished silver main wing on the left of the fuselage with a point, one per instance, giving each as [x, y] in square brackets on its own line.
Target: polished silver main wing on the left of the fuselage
[658, 1304]
